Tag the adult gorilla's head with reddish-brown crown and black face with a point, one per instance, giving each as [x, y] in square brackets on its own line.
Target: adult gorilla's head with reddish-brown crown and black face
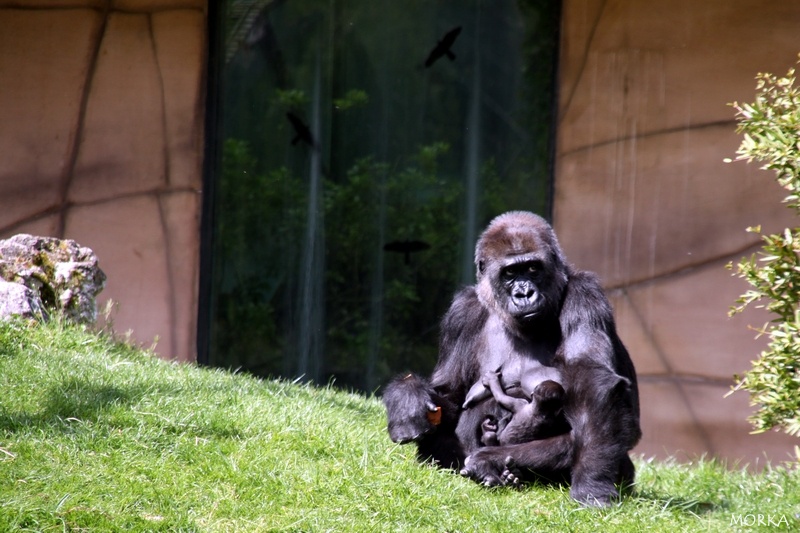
[522, 272]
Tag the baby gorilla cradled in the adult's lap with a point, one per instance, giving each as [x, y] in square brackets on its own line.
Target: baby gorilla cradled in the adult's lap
[539, 418]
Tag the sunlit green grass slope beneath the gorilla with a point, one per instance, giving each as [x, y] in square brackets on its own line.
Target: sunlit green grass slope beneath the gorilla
[96, 435]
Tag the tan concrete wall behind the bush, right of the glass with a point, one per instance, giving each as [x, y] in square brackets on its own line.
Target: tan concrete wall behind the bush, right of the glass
[642, 196]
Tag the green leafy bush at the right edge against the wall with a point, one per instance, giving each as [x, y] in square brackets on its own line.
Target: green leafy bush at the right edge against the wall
[771, 128]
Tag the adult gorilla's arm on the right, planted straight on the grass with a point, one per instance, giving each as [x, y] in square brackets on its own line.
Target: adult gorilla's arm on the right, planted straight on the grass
[604, 395]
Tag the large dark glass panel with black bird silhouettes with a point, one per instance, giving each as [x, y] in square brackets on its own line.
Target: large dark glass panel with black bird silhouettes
[362, 146]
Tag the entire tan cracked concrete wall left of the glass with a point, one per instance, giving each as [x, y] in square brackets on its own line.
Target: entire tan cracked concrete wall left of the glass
[101, 142]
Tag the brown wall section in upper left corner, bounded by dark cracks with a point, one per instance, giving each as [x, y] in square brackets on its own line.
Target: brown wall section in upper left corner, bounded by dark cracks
[42, 82]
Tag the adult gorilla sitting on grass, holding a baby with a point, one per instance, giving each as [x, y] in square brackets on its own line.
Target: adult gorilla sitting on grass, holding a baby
[528, 311]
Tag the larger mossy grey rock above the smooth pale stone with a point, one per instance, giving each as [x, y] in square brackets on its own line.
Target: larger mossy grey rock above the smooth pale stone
[62, 275]
